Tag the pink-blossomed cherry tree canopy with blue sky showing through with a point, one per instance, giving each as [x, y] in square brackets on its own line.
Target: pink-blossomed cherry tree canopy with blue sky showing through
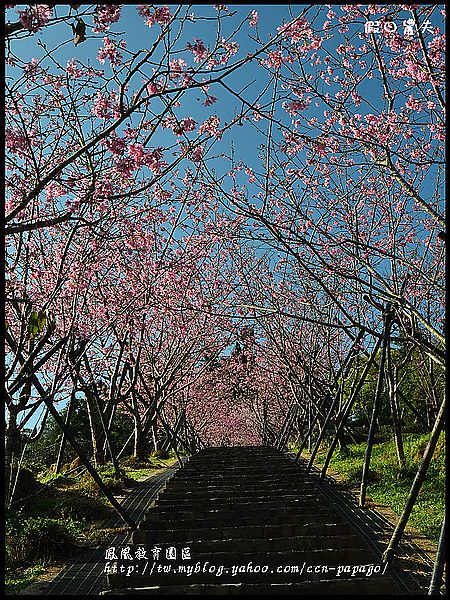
[220, 277]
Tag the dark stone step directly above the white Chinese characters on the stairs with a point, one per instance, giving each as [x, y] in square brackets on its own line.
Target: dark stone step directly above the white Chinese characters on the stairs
[172, 536]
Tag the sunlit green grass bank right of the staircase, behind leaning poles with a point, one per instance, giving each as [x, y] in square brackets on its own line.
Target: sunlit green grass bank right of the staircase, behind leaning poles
[389, 485]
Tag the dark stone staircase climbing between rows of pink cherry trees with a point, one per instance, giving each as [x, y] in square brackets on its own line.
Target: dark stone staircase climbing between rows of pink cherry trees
[253, 523]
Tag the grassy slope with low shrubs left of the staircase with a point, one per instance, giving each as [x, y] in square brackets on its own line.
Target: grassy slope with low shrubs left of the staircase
[76, 505]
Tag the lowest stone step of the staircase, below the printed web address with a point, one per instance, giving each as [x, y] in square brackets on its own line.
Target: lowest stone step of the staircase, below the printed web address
[367, 586]
